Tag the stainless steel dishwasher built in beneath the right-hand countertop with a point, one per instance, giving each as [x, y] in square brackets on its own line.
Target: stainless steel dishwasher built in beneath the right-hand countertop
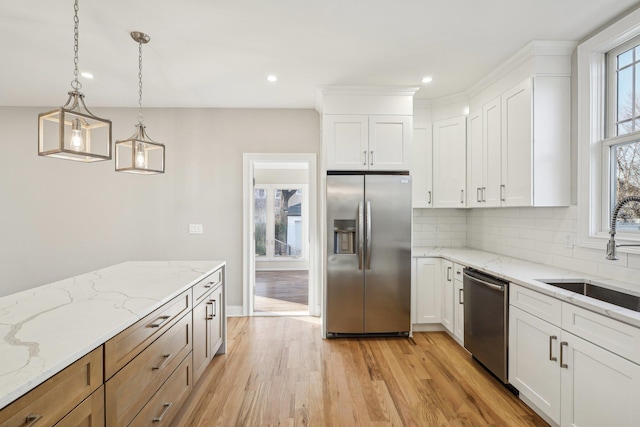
[486, 320]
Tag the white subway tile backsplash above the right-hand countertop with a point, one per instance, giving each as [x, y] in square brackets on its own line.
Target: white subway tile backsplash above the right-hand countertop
[544, 235]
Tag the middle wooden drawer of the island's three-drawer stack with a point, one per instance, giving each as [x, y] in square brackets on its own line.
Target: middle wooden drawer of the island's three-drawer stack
[132, 387]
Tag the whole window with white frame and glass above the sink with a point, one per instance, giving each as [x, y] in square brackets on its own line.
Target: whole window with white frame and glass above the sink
[608, 131]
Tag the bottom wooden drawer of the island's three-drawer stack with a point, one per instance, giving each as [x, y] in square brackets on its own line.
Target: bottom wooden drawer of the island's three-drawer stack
[166, 403]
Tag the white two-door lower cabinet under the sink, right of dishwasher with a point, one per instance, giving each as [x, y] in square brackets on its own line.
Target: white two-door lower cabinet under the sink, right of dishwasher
[572, 381]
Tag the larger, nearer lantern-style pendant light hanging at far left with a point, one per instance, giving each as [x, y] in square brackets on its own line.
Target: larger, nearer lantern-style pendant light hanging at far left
[72, 132]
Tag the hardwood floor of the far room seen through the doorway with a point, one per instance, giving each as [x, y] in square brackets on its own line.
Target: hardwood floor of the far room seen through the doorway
[281, 291]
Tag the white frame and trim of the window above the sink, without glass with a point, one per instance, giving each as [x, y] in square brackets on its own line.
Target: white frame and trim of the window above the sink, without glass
[593, 123]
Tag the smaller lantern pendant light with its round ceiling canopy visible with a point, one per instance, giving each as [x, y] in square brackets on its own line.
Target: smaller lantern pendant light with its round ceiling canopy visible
[139, 153]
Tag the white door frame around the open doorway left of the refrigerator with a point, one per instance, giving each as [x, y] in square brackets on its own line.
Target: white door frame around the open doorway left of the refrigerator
[248, 258]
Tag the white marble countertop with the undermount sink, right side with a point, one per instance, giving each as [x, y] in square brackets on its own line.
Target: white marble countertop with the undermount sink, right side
[527, 274]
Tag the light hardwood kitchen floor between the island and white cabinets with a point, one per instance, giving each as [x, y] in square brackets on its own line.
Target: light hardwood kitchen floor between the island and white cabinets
[279, 371]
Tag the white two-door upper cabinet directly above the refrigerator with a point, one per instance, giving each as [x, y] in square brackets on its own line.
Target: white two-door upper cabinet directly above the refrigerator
[367, 128]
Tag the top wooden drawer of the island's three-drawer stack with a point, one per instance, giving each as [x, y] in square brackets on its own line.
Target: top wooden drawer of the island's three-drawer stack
[119, 350]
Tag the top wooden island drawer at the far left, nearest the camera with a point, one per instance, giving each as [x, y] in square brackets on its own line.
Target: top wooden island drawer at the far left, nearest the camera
[56, 397]
